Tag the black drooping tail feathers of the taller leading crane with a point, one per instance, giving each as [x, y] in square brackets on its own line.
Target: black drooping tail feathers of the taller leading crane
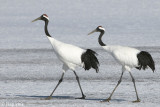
[90, 60]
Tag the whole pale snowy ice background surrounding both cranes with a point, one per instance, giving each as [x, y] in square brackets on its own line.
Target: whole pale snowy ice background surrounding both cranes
[30, 70]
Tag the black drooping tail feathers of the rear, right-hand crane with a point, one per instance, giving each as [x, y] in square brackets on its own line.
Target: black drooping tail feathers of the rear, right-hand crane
[144, 60]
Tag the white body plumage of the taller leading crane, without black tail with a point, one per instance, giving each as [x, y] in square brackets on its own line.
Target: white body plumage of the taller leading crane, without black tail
[70, 55]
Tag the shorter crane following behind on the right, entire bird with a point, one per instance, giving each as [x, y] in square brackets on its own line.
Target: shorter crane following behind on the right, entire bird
[127, 57]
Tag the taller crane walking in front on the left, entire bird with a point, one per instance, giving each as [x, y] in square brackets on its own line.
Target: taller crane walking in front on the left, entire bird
[71, 56]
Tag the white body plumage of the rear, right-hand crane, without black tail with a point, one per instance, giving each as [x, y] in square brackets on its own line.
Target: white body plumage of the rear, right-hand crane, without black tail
[125, 56]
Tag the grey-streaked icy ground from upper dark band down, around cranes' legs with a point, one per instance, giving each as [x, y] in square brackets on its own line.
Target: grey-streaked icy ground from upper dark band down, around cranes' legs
[29, 75]
